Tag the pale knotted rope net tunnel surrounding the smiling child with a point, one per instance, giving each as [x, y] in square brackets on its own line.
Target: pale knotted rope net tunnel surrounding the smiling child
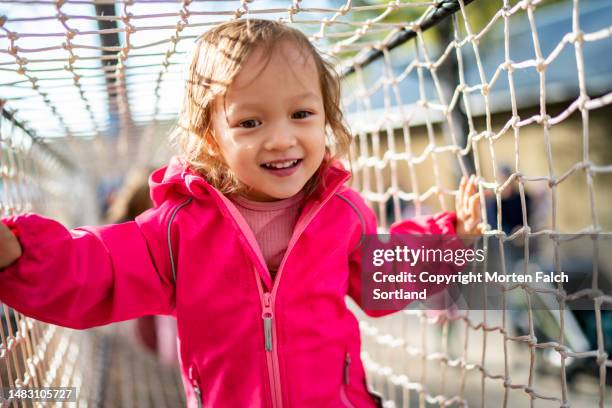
[516, 92]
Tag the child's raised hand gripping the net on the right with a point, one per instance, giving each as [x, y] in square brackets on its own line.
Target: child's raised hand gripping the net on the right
[467, 203]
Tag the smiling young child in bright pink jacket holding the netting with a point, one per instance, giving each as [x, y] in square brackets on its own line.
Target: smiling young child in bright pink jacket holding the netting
[254, 240]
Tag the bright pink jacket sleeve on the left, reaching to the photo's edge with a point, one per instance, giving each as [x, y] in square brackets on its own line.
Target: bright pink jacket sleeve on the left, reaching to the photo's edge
[85, 277]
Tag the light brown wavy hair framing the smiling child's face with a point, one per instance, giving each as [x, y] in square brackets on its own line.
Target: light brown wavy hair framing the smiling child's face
[218, 56]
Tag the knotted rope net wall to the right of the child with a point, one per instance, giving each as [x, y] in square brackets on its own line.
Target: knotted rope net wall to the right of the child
[468, 98]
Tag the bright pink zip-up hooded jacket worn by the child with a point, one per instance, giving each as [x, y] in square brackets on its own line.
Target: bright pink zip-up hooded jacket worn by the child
[244, 340]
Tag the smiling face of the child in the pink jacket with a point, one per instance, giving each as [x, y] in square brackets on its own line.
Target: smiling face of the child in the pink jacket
[270, 125]
